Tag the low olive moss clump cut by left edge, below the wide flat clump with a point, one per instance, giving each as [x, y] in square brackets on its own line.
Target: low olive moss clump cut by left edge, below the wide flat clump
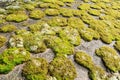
[8, 28]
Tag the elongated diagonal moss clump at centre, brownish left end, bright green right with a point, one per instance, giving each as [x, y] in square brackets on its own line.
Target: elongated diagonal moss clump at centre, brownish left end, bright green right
[59, 46]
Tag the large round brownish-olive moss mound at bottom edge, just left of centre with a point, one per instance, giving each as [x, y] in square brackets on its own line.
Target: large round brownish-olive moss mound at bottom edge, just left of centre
[62, 69]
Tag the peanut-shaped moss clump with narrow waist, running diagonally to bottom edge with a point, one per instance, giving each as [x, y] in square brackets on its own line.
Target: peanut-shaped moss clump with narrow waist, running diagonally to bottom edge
[95, 72]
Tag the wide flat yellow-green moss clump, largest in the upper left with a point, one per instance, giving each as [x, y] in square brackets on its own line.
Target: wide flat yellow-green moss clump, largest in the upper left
[17, 17]
